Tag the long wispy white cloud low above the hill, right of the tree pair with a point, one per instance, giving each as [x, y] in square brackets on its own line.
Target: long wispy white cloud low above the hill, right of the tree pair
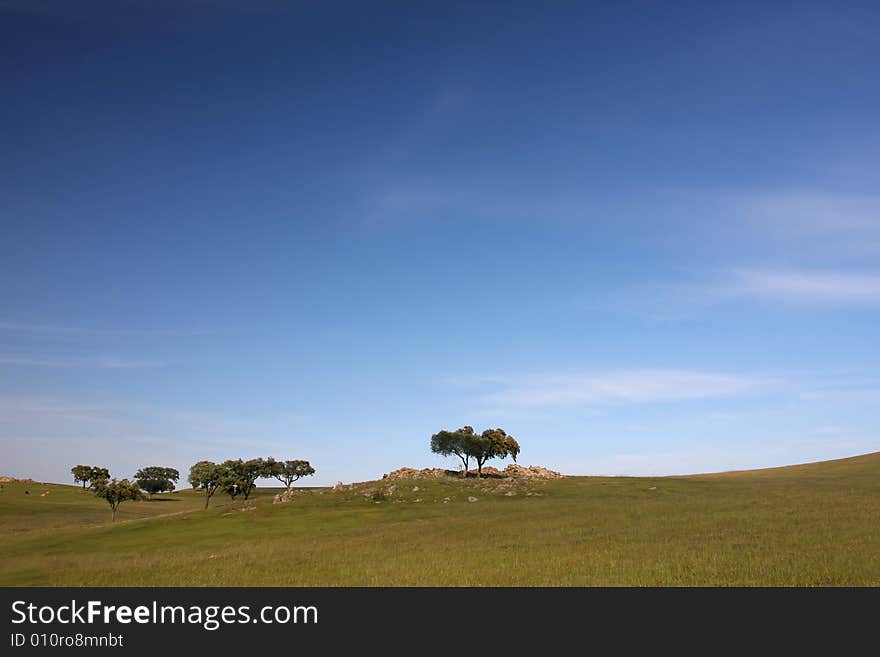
[626, 386]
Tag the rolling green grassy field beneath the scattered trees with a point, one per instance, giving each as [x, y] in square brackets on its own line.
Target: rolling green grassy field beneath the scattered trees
[808, 525]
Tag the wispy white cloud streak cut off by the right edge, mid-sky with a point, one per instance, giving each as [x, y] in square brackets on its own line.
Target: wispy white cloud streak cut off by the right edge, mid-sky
[807, 286]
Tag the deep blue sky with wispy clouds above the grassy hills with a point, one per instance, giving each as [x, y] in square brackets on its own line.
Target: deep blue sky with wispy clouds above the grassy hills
[644, 238]
